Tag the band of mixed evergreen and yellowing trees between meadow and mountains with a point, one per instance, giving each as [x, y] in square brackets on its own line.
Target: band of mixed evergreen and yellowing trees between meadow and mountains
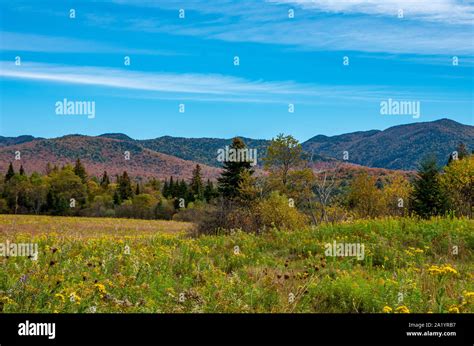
[287, 193]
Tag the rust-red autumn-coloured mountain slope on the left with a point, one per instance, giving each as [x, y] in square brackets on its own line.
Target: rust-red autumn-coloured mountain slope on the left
[99, 154]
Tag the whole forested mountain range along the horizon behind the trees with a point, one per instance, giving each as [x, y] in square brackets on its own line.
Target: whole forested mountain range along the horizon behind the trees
[396, 148]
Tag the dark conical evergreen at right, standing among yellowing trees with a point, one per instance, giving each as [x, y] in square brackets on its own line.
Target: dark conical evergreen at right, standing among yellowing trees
[428, 198]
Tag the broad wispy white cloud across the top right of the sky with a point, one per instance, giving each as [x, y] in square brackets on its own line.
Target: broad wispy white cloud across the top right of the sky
[439, 27]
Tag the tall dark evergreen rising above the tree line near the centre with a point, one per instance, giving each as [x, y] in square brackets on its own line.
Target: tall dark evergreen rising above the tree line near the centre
[228, 182]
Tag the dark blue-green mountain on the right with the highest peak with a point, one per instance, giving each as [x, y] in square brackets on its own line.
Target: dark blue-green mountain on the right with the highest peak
[398, 147]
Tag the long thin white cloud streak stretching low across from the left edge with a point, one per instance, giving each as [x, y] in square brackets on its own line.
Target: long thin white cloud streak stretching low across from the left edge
[202, 87]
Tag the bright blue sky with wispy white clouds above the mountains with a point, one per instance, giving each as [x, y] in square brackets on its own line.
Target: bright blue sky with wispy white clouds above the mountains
[332, 62]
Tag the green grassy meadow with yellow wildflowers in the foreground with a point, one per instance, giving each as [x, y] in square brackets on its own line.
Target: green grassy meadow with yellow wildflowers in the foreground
[117, 265]
